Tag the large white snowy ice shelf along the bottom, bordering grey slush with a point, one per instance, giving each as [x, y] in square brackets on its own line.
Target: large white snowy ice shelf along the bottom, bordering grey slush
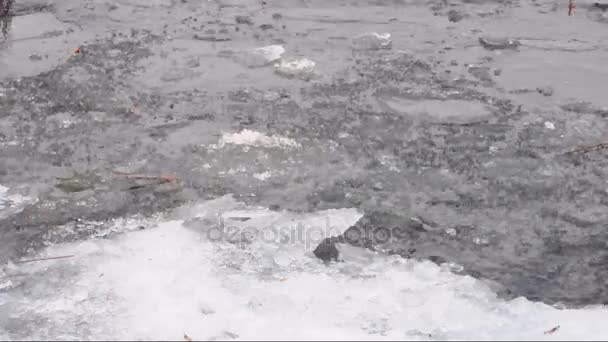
[174, 278]
